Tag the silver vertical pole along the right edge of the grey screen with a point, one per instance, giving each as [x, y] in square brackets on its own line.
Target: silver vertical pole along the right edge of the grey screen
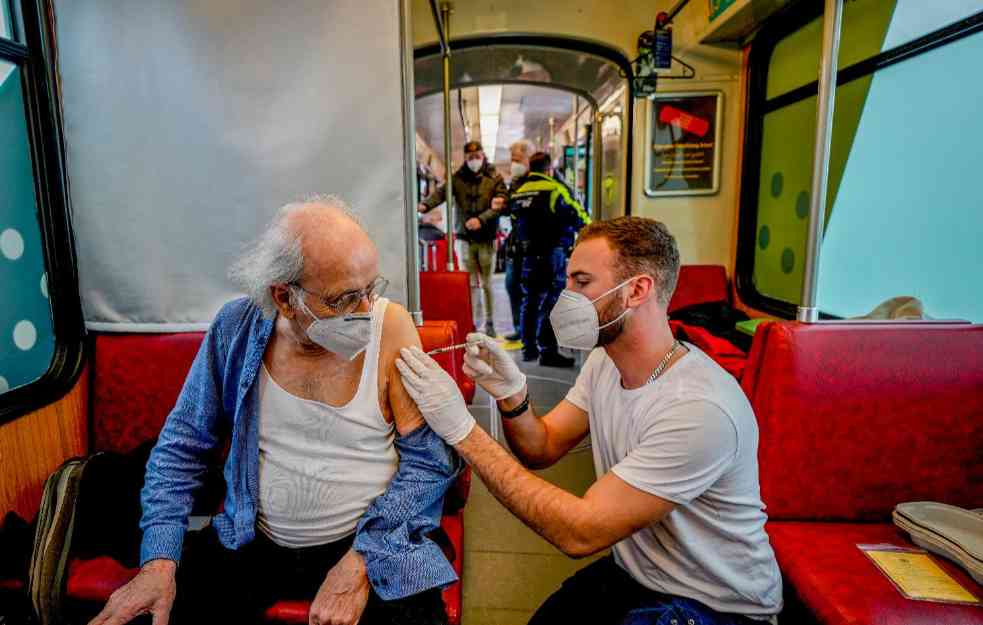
[409, 164]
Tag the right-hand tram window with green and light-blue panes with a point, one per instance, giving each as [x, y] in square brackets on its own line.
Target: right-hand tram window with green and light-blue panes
[899, 211]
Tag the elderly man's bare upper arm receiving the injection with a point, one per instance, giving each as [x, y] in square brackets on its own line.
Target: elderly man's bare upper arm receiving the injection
[398, 331]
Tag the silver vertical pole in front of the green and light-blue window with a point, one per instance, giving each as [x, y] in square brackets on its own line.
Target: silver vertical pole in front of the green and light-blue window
[808, 312]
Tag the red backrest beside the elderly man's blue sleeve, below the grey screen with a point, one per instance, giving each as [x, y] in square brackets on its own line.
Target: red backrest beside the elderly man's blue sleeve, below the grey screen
[136, 379]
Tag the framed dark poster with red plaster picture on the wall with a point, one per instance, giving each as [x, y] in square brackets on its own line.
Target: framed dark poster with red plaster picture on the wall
[683, 153]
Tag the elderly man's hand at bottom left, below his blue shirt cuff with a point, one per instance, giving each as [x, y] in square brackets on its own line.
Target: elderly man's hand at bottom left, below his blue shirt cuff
[151, 592]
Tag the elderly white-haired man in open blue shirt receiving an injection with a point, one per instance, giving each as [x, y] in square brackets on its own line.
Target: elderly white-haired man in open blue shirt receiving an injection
[333, 478]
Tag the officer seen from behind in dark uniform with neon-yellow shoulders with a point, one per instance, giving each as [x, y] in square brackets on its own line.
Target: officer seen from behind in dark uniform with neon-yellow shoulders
[547, 218]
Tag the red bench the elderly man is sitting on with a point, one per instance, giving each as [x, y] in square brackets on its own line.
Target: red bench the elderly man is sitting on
[136, 380]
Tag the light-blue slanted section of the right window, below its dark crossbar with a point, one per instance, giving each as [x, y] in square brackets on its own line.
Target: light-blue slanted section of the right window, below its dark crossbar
[907, 218]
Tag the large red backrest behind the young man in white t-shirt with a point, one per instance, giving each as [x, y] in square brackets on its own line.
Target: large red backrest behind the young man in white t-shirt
[856, 418]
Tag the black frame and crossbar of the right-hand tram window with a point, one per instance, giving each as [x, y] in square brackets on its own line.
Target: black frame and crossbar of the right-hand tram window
[758, 106]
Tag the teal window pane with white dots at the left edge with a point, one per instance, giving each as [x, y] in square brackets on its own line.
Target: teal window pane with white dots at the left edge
[26, 336]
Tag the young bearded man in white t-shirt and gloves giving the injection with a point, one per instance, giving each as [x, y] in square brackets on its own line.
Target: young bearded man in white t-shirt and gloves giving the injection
[673, 436]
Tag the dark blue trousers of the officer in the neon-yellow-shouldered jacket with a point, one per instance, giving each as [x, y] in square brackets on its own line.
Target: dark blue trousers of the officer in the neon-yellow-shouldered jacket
[543, 279]
